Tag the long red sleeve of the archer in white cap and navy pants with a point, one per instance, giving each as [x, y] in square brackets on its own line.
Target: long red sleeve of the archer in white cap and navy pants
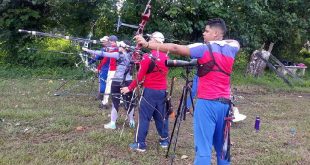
[144, 65]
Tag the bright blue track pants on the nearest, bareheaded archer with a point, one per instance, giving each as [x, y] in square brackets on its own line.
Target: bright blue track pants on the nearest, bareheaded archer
[209, 127]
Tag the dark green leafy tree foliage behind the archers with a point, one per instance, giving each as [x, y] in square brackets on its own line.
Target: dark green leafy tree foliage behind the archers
[252, 23]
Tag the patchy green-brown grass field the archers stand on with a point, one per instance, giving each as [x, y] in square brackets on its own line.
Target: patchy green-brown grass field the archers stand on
[39, 128]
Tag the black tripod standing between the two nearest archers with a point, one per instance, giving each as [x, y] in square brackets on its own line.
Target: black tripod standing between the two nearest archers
[181, 113]
